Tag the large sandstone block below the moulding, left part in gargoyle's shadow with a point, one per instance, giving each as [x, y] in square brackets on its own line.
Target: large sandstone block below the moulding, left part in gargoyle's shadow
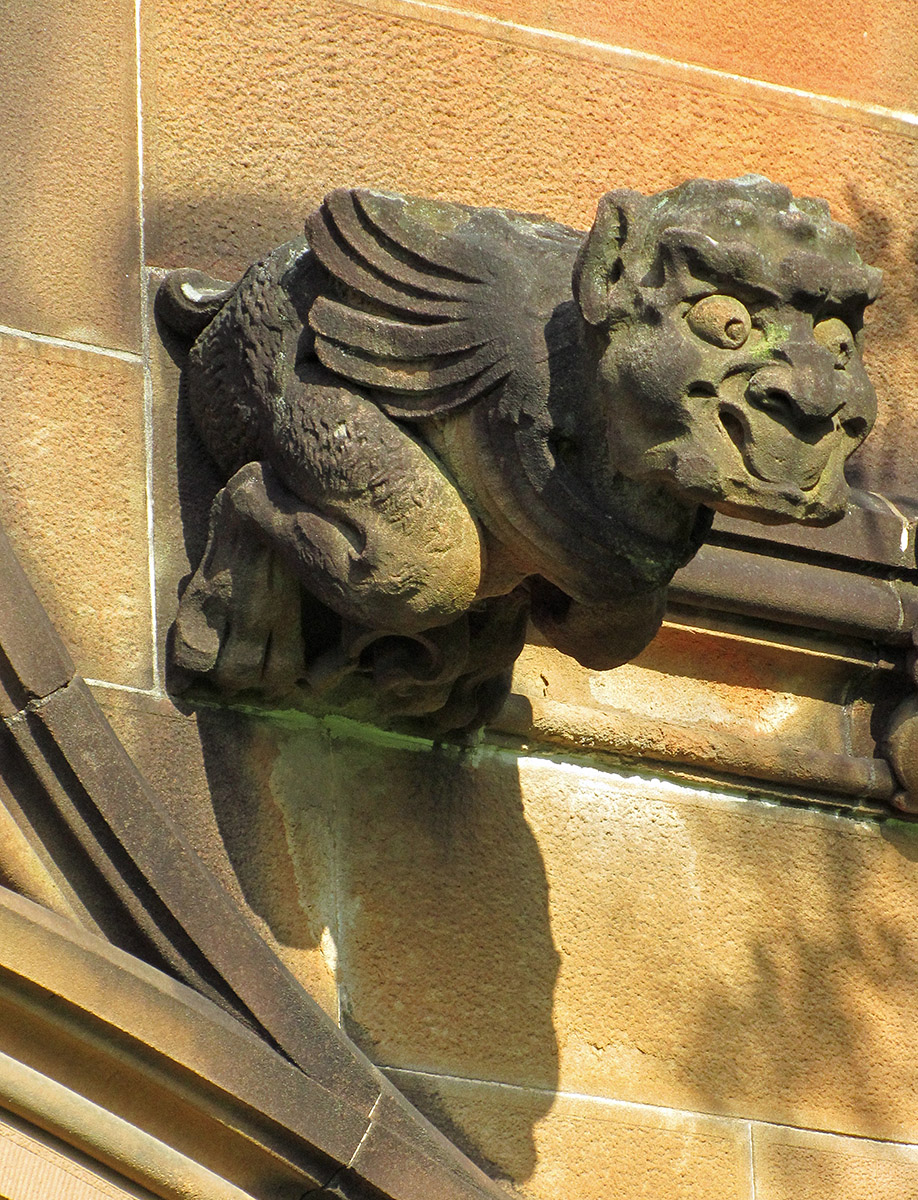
[549, 925]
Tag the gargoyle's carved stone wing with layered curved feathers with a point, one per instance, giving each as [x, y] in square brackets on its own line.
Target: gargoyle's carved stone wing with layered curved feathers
[431, 305]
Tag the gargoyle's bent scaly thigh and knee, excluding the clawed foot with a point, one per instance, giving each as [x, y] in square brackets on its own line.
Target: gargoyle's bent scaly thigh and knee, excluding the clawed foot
[364, 515]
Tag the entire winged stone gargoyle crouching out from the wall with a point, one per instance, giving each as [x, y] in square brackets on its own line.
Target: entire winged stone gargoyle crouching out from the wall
[437, 421]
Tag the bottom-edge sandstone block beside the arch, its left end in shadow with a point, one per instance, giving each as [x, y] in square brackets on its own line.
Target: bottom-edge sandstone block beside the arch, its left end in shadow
[587, 1149]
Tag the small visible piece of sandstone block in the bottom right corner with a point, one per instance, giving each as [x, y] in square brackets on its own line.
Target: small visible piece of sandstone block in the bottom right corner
[795, 1165]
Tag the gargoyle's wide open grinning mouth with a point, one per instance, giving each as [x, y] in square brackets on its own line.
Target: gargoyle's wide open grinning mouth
[772, 453]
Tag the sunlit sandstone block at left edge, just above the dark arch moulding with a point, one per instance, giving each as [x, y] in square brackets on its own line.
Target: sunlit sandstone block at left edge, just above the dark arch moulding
[75, 500]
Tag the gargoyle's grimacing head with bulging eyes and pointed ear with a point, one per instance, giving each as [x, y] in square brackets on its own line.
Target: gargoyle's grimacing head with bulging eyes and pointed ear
[725, 325]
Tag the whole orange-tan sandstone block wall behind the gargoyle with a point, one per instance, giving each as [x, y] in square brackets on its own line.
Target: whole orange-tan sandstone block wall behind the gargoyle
[605, 980]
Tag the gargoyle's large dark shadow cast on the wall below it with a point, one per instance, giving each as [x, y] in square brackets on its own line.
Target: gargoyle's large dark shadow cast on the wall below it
[411, 867]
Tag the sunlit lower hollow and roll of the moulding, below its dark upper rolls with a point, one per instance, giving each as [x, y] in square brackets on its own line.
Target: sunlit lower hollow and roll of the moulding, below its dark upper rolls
[801, 713]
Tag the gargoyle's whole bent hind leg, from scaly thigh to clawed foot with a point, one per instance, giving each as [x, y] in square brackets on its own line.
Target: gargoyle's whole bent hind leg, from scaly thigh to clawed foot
[375, 531]
